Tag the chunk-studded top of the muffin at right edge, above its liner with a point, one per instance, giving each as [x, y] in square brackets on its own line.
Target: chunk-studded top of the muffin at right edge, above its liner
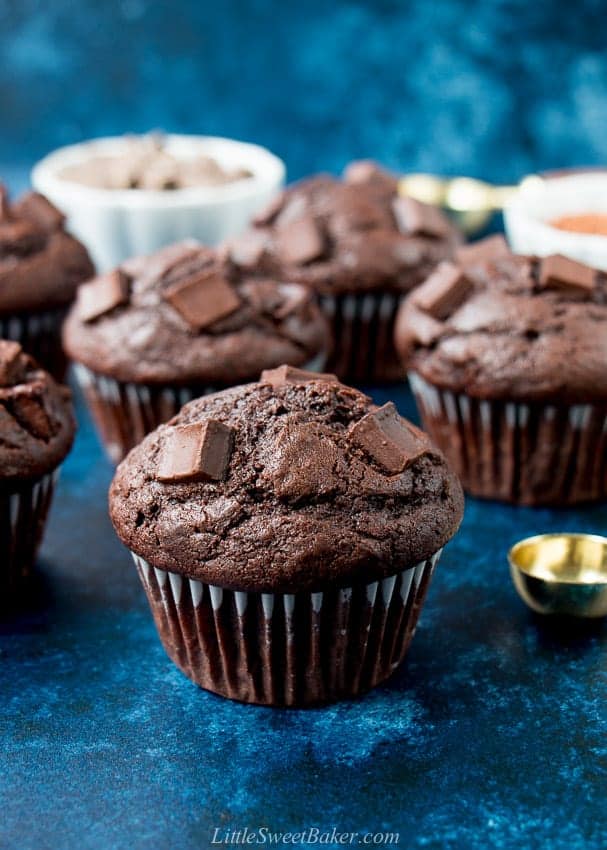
[502, 326]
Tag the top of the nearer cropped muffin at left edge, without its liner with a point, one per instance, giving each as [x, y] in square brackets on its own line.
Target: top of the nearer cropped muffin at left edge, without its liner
[36, 420]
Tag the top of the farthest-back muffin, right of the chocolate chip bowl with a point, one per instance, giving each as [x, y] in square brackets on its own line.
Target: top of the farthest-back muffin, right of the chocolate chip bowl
[347, 236]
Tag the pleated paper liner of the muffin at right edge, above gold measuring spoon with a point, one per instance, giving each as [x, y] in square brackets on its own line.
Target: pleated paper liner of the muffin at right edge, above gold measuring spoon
[533, 454]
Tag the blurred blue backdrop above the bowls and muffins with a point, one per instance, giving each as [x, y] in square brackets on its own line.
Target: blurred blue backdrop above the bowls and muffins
[490, 88]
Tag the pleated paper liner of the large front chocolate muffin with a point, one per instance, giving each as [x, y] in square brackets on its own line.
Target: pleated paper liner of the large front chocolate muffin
[286, 649]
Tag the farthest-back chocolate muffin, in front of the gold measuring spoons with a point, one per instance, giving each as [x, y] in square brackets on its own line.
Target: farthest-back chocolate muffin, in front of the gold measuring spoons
[360, 247]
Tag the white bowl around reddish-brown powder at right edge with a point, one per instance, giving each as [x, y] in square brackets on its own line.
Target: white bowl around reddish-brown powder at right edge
[541, 200]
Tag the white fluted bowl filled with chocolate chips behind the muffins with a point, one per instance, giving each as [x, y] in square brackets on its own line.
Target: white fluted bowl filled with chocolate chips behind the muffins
[128, 196]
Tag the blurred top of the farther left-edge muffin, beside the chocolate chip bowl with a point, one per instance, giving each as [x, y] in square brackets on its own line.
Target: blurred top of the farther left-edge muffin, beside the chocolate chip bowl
[40, 264]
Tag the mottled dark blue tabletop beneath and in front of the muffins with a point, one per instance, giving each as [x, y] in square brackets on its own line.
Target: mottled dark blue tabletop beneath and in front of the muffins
[492, 735]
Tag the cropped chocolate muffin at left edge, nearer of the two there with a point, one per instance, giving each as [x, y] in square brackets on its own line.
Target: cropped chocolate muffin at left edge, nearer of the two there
[36, 433]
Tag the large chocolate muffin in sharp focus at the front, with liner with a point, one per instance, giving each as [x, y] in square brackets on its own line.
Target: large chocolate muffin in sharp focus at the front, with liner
[285, 533]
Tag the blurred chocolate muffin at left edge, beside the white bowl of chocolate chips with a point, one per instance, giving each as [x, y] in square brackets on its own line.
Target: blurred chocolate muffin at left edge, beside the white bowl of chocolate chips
[40, 267]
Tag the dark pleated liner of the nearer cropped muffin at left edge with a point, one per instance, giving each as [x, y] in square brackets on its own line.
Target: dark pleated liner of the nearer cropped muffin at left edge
[24, 508]
